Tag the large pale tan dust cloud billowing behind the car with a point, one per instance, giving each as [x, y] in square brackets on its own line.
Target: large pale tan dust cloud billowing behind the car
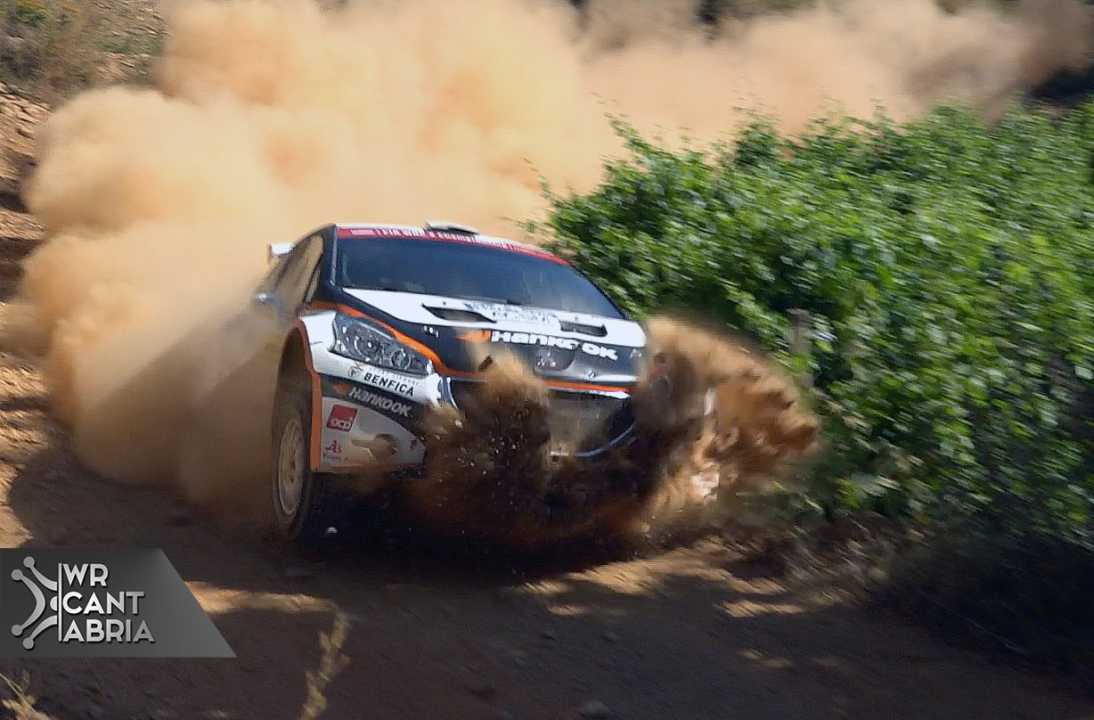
[270, 119]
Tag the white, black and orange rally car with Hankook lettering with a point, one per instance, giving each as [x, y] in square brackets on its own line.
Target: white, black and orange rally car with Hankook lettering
[380, 323]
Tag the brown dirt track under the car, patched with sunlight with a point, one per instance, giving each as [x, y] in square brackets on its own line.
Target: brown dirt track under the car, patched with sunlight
[696, 633]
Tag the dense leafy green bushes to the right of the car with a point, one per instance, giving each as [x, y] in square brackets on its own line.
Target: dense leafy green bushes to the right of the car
[949, 269]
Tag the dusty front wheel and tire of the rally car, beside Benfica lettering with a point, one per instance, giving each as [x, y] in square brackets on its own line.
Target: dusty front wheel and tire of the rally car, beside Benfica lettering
[304, 503]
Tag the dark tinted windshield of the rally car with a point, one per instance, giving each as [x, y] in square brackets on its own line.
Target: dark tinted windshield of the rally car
[468, 271]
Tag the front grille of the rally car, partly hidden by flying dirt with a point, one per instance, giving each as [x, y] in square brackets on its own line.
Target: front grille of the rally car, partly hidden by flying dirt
[578, 422]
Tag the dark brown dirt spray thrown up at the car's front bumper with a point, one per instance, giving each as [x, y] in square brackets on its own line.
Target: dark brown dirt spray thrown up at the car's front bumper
[713, 420]
